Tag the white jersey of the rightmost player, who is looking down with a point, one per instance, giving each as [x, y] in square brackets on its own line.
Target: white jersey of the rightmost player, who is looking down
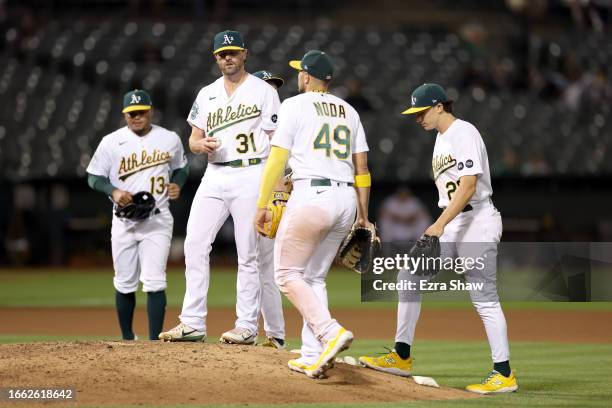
[459, 152]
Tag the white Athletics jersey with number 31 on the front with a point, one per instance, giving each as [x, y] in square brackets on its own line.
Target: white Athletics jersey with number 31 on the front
[238, 121]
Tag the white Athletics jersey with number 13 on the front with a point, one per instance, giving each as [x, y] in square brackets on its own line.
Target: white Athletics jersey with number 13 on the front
[139, 163]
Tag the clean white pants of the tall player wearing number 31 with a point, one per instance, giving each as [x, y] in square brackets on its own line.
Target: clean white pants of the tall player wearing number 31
[223, 191]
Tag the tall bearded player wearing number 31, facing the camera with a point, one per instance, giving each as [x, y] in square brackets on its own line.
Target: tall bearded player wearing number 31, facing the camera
[232, 120]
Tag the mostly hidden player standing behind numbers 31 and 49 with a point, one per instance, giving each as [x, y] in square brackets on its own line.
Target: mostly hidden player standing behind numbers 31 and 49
[271, 302]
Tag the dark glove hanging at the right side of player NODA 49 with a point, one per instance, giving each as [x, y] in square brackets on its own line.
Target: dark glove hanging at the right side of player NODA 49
[358, 249]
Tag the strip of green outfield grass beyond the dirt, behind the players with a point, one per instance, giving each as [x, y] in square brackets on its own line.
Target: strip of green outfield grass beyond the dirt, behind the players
[94, 288]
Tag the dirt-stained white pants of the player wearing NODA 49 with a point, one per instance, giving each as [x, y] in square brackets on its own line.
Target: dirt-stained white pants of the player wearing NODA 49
[314, 224]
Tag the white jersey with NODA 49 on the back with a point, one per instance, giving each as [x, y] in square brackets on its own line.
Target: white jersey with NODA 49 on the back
[323, 141]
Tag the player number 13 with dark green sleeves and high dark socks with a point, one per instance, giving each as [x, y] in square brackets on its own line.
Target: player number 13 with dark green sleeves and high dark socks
[140, 157]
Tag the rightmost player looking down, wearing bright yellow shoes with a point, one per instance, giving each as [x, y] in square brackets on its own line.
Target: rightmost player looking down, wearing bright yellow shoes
[469, 226]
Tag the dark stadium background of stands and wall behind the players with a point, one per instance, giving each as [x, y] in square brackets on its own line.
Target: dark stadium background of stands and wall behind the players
[533, 76]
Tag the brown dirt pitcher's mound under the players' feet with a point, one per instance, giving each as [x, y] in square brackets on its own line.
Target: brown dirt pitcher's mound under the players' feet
[153, 373]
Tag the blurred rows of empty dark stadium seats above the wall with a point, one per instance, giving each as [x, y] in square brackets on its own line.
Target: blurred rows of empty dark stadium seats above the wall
[61, 88]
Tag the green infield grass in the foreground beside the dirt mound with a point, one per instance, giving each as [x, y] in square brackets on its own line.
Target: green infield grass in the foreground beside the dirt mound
[549, 374]
